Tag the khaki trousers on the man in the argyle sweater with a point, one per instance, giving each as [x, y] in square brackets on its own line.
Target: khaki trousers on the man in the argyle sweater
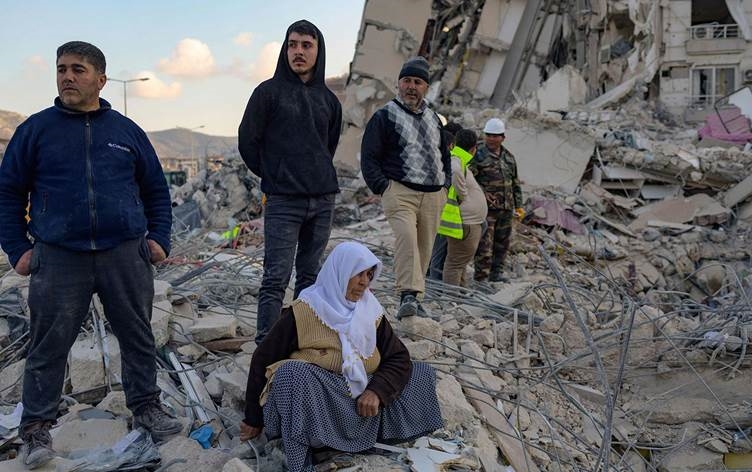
[414, 218]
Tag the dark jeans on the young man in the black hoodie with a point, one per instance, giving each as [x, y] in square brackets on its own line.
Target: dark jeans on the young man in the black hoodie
[295, 228]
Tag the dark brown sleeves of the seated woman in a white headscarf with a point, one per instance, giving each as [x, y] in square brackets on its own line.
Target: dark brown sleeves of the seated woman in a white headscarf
[387, 382]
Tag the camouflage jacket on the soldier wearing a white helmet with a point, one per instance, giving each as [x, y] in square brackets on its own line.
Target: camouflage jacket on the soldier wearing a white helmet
[497, 175]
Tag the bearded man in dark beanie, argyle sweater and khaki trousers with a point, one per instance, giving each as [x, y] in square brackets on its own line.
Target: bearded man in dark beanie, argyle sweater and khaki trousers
[405, 160]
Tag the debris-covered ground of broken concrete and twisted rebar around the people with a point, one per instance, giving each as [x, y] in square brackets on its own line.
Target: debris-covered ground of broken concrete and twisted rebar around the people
[620, 342]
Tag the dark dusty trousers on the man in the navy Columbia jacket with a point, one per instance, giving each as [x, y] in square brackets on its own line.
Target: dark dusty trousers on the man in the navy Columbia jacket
[60, 290]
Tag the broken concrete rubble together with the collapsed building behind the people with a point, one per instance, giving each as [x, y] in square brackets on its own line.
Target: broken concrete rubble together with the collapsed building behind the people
[621, 341]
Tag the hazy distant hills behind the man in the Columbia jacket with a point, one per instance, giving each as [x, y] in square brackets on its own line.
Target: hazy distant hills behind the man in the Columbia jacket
[170, 143]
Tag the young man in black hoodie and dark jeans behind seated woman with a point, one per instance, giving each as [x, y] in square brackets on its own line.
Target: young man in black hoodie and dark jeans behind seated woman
[288, 136]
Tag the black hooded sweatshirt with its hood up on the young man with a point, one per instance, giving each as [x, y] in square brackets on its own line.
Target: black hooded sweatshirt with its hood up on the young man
[290, 130]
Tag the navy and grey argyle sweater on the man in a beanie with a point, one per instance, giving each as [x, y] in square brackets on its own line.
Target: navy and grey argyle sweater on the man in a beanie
[406, 146]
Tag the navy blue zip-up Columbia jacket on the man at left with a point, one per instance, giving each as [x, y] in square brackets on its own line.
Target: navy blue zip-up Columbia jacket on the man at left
[94, 182]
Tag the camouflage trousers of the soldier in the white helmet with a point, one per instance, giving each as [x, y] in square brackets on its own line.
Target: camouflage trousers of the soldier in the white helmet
[494, 243]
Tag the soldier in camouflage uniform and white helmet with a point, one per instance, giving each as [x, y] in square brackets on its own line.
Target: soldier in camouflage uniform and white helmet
[495, 170]
